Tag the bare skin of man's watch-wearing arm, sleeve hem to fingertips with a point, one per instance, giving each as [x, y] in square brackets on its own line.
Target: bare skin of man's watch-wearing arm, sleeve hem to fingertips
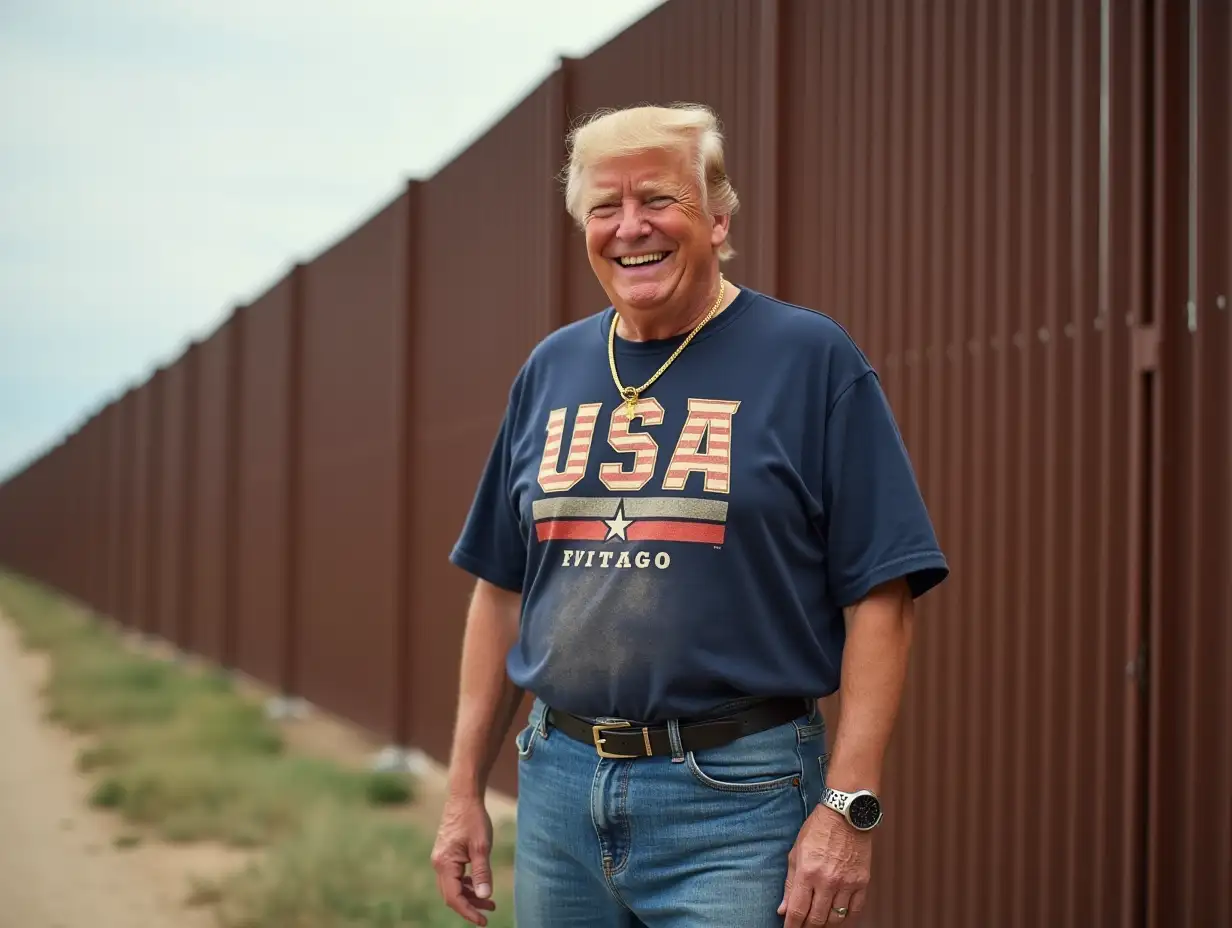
[831, 865]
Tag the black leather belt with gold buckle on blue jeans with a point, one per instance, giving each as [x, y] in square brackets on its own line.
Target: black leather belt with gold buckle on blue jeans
[625, 740]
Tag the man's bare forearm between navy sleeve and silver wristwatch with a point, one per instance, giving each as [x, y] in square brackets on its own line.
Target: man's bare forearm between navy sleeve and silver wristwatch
[874, 672]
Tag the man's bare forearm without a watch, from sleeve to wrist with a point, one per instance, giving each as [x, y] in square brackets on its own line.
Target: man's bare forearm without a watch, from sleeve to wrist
[487, 698]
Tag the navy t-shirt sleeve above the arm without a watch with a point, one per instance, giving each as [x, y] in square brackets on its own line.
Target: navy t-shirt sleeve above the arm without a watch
[492, 545]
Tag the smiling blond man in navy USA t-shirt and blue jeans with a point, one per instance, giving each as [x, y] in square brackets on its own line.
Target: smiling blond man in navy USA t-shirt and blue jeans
[698, 518]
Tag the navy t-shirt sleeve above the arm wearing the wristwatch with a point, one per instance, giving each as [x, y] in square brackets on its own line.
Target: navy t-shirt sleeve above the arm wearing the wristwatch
[877, 524]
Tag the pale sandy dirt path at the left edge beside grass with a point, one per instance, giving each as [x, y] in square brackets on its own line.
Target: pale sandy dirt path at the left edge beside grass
[60, 866]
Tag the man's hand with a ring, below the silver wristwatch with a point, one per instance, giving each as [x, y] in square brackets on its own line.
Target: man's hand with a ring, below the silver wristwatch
[829, 868]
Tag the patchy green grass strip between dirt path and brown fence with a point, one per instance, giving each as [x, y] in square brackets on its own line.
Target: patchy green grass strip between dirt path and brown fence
[183, 756]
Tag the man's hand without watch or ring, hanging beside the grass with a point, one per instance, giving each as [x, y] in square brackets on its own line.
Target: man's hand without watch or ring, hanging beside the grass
[465, 837]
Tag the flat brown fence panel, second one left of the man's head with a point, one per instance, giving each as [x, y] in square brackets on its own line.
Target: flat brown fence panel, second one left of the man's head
[353, 407]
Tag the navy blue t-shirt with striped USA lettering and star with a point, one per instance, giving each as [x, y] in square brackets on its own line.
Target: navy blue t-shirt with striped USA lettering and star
[704, 552]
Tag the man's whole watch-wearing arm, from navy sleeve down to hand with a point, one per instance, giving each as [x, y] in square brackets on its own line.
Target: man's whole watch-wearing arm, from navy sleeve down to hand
[883, 555]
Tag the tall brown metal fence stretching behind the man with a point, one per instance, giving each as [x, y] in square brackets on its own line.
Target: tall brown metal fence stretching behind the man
[1024, 215]
